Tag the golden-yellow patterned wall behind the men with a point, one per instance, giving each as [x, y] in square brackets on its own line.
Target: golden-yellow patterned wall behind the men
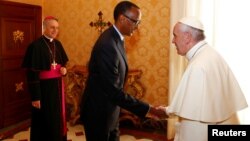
[148, 49]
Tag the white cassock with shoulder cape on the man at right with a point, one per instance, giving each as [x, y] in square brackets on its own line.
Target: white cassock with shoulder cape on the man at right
[208, 93]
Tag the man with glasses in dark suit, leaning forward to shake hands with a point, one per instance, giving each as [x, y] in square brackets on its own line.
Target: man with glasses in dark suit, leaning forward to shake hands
[104, 93]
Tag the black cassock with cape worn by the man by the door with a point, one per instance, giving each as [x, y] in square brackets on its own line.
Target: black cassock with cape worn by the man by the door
[47, 122]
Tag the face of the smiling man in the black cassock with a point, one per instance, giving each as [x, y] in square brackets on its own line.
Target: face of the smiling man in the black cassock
[51, 28]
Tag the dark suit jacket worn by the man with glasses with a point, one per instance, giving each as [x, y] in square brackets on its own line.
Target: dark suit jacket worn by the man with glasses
[104, 93]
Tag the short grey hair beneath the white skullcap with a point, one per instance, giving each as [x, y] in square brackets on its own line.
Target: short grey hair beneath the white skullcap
[197, 34]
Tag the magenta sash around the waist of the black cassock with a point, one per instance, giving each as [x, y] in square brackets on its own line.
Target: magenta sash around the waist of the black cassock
[54, 72]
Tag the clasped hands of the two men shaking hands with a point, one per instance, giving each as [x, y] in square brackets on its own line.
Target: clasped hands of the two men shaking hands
[157, 112]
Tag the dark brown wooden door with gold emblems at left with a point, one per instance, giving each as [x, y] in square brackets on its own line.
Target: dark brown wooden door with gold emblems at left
[20, 24]
